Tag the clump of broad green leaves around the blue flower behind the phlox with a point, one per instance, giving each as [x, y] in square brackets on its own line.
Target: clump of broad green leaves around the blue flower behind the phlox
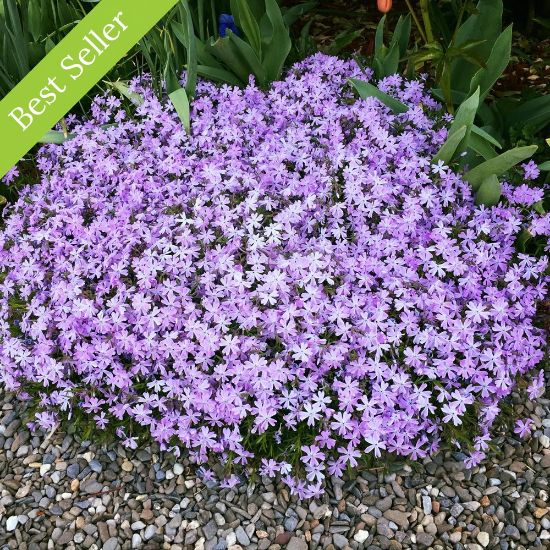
[188, 39]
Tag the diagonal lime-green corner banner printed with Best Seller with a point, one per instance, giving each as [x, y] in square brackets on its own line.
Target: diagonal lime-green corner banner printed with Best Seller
[70, 70]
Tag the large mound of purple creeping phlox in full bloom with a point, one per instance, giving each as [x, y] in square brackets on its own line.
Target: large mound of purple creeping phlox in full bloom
[294, 285]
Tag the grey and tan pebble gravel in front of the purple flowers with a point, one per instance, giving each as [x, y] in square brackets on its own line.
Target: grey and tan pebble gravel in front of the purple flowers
[64, 493]
